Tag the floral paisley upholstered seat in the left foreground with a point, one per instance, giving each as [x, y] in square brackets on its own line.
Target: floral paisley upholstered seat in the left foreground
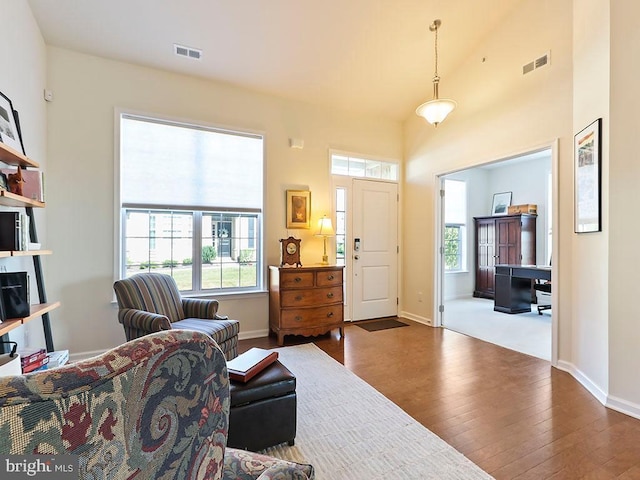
[156, 407]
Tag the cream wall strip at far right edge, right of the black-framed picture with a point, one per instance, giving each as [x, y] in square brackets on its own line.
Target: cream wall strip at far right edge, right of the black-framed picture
[623, 226]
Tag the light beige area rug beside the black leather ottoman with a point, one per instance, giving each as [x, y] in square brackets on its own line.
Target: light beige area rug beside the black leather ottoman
[349, 431]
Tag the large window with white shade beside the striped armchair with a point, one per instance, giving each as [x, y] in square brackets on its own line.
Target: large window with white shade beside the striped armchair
[191, 204]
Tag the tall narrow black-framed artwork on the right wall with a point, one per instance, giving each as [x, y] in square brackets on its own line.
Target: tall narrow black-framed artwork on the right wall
[587, 154]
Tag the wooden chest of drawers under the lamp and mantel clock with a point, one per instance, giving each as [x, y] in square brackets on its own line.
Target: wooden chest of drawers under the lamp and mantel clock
[305, 301]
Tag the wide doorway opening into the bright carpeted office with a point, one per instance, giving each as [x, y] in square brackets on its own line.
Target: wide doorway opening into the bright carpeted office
[469, 249]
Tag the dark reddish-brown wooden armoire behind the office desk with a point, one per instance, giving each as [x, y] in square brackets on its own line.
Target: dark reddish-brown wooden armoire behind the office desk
[506, 239]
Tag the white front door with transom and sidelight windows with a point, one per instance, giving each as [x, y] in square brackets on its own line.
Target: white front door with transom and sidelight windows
[366, 198]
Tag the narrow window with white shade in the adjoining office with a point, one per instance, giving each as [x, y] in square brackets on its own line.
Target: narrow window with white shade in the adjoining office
[455, 230]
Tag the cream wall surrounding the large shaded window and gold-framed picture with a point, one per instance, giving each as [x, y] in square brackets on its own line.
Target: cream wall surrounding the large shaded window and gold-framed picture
[87, 89]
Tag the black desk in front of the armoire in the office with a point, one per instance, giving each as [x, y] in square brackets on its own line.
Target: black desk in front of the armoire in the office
[513, 286]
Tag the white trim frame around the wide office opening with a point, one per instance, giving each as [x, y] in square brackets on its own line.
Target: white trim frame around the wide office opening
[438, 293]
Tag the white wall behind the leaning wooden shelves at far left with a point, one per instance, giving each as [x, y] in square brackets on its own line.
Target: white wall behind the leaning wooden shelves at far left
[22, 79]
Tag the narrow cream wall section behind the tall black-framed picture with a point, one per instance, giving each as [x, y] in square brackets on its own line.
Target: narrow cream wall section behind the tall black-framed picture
[589, 286]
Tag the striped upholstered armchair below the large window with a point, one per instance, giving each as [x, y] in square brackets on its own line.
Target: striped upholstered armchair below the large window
[151, 302]
